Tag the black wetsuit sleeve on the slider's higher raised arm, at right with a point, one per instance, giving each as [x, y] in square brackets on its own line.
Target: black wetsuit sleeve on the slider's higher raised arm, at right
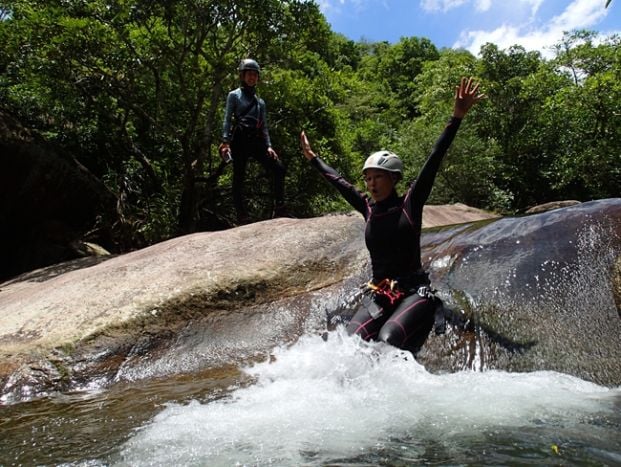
[419, 191]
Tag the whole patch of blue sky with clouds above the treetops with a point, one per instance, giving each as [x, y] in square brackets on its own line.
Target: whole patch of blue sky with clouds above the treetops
[534, 24]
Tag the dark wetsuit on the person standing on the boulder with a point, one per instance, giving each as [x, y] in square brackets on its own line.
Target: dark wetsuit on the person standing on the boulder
[245, 128]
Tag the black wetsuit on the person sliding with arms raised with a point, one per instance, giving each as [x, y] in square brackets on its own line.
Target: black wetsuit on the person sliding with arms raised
[392, 236]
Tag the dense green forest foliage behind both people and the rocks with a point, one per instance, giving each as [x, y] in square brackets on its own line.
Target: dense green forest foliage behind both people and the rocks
[134, 90]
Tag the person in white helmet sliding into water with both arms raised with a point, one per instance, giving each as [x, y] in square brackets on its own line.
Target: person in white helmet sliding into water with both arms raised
[400, 307]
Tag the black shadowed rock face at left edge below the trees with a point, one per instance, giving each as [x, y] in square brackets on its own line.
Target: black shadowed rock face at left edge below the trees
[46, 205]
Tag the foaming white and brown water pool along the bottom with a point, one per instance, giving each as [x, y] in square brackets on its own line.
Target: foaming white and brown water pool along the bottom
[325, 400]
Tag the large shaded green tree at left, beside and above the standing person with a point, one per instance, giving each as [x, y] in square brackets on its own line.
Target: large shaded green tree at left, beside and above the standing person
[136, 88]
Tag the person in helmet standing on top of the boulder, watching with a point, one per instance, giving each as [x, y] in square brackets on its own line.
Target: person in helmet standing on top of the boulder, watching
[245, 135]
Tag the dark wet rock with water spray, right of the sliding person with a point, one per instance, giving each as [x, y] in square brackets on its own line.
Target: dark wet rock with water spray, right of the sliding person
[539, 292]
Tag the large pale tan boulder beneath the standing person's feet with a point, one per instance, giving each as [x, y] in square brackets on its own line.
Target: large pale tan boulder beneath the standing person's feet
[87, 319]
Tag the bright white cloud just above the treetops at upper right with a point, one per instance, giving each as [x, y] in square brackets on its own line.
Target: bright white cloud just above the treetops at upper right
[579, 14]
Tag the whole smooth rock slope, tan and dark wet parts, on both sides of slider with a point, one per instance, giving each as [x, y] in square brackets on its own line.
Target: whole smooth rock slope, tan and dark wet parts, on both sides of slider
[210, 299]
